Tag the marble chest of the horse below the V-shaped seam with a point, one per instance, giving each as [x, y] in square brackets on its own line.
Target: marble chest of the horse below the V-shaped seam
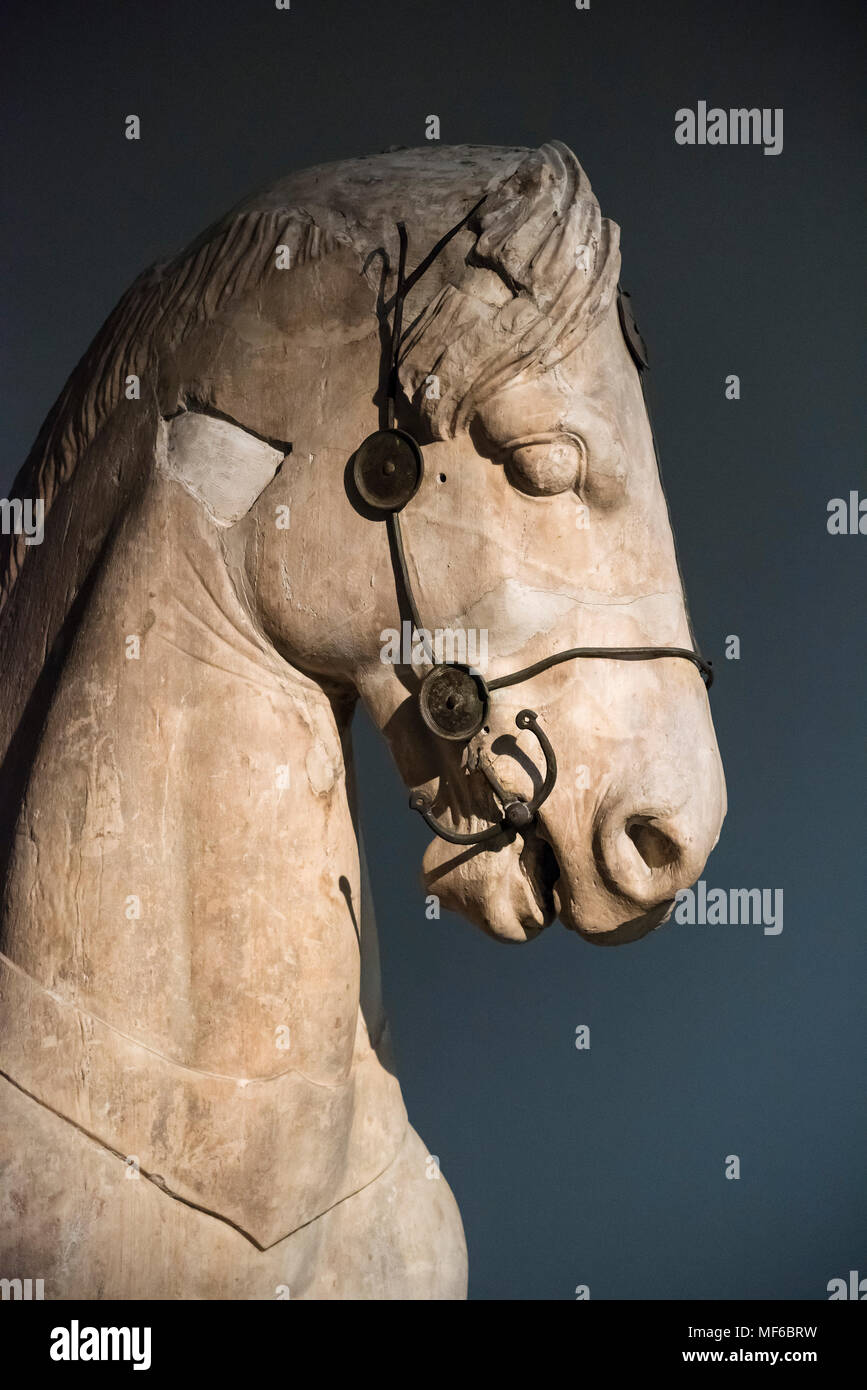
[126, 1238]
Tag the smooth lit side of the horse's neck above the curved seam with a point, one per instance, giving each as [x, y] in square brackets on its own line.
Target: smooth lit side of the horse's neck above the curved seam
[190, 810]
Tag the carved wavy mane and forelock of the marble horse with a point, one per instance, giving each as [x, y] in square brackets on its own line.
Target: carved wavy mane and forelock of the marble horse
[529, 237]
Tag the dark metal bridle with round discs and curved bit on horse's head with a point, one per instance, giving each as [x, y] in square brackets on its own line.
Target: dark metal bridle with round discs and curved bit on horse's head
[455, 700]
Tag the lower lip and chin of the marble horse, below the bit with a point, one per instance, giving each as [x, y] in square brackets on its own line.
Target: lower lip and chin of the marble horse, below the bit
[505, 892]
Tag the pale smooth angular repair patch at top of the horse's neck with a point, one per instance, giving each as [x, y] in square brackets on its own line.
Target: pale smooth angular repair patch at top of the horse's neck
[223, 465]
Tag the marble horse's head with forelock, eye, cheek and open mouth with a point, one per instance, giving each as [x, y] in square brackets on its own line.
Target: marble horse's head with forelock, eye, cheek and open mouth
[536, 523]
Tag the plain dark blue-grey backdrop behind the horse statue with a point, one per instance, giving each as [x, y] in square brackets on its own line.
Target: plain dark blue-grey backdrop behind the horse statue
[604, 1167]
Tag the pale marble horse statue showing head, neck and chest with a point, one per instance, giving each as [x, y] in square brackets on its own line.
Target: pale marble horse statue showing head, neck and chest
[198, 1097]
